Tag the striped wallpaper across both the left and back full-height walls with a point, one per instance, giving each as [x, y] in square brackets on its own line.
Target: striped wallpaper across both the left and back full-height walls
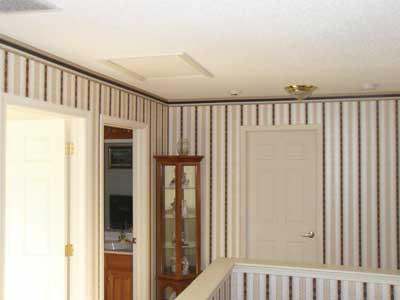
[360, 160]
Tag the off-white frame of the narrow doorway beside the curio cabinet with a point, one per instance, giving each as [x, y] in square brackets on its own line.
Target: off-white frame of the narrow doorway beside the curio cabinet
[141, 206]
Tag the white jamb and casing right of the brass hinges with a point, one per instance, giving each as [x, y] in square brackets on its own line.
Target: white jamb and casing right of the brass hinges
[80, 229]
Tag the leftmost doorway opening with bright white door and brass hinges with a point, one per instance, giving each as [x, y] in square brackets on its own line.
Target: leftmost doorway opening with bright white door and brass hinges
[46, 209]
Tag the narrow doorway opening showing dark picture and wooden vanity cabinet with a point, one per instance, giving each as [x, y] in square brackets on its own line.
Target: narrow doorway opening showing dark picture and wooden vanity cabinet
[118, 213]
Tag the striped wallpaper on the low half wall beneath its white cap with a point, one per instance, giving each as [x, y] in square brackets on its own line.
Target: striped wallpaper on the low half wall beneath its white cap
[260, 286]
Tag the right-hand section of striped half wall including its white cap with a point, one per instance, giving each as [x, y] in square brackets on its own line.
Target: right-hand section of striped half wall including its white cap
[256, 281]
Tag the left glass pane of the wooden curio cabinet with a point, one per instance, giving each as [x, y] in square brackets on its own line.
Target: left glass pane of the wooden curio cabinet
[168, 202]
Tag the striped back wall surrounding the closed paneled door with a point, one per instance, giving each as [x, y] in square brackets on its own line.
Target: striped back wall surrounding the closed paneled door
[360, 173]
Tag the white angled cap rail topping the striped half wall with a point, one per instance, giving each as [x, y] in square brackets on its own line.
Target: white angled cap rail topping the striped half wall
[208, 281]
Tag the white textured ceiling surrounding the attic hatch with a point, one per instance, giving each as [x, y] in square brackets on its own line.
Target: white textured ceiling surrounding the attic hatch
[256, 47]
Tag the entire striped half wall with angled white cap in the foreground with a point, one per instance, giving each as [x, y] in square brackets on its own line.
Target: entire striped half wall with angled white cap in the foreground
[240, 279]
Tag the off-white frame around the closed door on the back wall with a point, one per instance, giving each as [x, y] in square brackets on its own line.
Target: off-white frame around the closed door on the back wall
[241, 215]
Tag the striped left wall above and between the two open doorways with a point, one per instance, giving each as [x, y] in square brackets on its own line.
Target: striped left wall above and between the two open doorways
[27, 76]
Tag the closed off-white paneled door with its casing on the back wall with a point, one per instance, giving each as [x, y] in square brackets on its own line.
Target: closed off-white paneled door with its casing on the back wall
[281, 193]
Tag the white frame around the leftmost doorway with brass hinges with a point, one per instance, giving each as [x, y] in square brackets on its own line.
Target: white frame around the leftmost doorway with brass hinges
[69, 113]
